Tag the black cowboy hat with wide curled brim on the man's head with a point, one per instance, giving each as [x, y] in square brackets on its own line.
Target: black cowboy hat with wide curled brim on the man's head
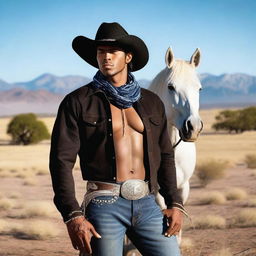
[115, 35]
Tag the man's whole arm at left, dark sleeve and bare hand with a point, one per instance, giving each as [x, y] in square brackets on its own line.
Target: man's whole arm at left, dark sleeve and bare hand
[65, 145]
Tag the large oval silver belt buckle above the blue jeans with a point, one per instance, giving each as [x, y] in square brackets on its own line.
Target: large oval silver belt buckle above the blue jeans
[134, 189]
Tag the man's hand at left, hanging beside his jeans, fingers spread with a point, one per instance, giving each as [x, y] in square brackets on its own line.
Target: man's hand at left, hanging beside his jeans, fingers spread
[80, 232]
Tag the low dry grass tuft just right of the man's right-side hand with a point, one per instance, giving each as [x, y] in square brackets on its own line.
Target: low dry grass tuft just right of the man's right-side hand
[210, 222]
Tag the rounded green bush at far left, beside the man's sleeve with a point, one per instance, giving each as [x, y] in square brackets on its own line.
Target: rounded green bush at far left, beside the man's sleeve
[26, 129]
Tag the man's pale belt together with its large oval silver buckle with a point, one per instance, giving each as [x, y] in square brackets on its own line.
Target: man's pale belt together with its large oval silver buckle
[132, 189]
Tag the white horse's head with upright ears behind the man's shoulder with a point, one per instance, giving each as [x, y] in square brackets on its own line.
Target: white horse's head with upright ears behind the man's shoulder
[178, 86]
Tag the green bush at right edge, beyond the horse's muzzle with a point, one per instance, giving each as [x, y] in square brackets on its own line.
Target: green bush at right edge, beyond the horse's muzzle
[236, 120]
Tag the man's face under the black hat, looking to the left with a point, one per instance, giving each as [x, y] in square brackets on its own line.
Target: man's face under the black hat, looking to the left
[112, 61]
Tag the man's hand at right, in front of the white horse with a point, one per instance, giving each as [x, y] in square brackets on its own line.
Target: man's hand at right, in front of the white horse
[175, 220]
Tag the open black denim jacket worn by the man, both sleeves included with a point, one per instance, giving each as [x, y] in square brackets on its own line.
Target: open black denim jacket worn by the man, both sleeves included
[83, 126]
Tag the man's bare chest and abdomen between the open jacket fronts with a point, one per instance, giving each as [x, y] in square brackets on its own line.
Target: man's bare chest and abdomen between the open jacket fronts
[128, 143]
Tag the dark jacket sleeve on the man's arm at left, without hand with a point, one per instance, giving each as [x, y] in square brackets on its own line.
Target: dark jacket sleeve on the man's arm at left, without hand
[65, 144]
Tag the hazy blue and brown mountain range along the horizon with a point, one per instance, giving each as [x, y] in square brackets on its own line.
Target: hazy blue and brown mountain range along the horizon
[44, 93]
